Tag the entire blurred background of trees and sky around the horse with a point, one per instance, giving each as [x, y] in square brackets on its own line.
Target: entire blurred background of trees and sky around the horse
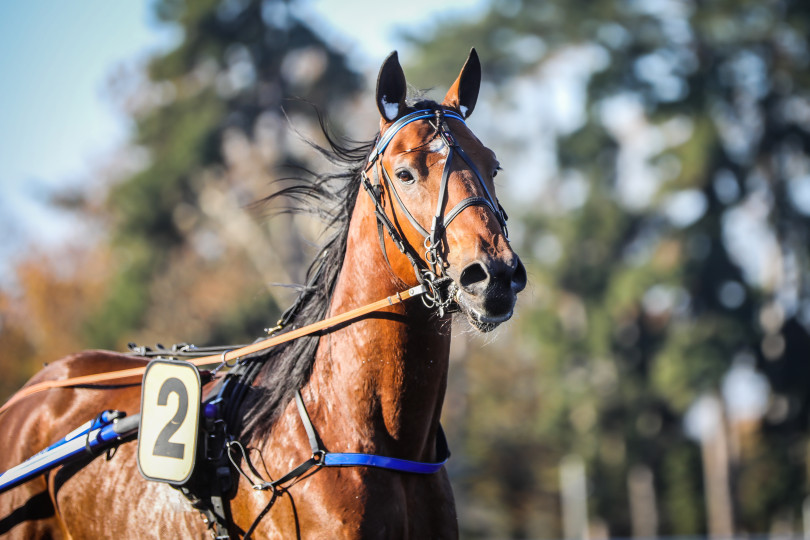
[655, 380]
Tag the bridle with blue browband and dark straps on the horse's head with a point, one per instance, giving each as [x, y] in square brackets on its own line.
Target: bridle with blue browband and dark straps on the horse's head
[429, 269]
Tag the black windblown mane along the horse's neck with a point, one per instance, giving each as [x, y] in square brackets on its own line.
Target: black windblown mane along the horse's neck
[284, 369]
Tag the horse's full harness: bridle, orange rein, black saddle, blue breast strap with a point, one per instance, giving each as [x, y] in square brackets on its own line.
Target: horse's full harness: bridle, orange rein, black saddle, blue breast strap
[213, 482]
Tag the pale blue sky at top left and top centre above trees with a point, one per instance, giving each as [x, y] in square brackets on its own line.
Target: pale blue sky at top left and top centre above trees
[56, 124]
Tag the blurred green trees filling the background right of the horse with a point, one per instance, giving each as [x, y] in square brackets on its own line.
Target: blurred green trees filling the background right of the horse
[671, 245]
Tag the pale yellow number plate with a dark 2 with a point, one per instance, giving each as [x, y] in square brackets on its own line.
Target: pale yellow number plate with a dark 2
[170, 418]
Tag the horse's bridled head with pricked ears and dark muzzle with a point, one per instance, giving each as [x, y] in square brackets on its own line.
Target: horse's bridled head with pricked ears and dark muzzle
[433, 185]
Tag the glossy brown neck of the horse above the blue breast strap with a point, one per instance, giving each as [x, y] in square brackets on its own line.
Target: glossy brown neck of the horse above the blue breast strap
[379, 382]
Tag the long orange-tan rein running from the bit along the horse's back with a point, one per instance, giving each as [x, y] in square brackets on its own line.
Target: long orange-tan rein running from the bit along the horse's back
[228, 356]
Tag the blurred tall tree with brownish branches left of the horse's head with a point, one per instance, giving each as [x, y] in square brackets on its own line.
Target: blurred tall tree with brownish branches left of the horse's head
[191, 265]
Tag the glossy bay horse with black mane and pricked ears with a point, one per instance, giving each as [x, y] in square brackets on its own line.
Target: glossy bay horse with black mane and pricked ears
[372, 386]
